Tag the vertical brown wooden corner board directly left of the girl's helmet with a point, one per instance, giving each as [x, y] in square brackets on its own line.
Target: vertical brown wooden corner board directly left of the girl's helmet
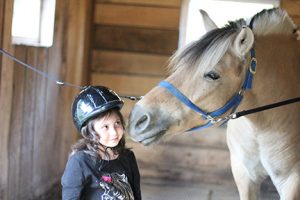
[76, 70]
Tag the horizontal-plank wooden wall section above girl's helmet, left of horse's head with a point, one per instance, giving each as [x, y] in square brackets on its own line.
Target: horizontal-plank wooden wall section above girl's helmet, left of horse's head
[132, 41]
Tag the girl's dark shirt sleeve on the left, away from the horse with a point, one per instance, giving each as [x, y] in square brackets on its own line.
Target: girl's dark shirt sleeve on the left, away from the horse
[72, 180]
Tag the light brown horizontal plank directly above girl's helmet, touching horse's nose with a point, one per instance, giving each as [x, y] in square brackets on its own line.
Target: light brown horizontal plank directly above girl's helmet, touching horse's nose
[125, 84]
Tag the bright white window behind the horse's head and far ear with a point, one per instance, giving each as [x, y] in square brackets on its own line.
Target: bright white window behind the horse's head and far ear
[221, 11]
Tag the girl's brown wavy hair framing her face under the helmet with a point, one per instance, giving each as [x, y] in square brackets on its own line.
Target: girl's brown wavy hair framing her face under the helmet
[90, 141]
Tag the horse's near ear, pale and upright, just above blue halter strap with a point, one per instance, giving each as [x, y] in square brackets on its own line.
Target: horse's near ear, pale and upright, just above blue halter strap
[243, 42]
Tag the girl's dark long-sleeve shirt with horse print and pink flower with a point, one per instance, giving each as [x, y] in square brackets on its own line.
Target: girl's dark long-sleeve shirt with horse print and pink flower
[86, 177]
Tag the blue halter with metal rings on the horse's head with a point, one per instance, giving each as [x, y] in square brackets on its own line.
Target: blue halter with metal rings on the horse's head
[232, 104]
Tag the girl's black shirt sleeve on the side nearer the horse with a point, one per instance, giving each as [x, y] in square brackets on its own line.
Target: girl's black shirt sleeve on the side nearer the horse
[136, 178]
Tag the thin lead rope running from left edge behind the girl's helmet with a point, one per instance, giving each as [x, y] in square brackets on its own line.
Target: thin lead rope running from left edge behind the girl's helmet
[52, 78]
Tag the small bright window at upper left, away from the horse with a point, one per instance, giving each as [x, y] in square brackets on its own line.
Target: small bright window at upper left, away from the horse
[33, 22]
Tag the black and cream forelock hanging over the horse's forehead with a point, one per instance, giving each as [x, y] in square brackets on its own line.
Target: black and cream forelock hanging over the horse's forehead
[207, 51]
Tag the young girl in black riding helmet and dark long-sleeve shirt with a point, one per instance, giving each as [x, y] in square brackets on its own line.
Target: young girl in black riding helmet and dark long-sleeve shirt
[100, 166]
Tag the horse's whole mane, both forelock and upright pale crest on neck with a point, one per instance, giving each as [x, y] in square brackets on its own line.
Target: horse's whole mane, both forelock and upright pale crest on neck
[215, 43]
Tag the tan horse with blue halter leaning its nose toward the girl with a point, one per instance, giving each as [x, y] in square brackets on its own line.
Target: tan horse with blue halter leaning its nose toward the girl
[228, 70]
